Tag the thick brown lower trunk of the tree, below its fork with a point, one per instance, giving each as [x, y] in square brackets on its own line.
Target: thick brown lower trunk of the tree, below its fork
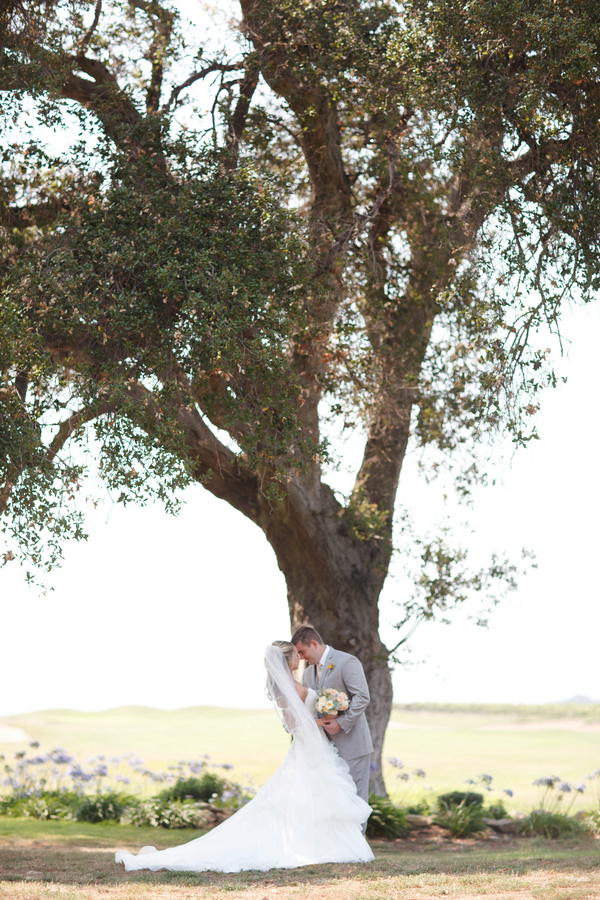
[334, 580]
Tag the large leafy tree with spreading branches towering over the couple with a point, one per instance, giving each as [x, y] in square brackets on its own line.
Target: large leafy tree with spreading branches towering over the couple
[394, 204]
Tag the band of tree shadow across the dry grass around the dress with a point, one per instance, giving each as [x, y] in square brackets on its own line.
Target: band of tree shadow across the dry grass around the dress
[38, 862]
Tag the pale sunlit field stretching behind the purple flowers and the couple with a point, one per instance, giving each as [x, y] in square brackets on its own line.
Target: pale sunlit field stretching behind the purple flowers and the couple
[516, 747]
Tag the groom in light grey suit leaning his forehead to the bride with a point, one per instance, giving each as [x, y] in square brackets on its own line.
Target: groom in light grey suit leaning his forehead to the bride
[349, 730]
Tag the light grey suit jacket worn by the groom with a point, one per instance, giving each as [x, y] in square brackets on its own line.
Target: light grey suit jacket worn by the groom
[346, 674]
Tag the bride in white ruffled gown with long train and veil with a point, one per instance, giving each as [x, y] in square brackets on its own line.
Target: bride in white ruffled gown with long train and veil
[308, 812]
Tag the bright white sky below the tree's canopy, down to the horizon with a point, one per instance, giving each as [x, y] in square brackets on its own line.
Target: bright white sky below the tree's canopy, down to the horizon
[173, 612]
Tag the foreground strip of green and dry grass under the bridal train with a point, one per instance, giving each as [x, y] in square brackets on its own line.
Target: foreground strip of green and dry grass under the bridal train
[72, 861]
